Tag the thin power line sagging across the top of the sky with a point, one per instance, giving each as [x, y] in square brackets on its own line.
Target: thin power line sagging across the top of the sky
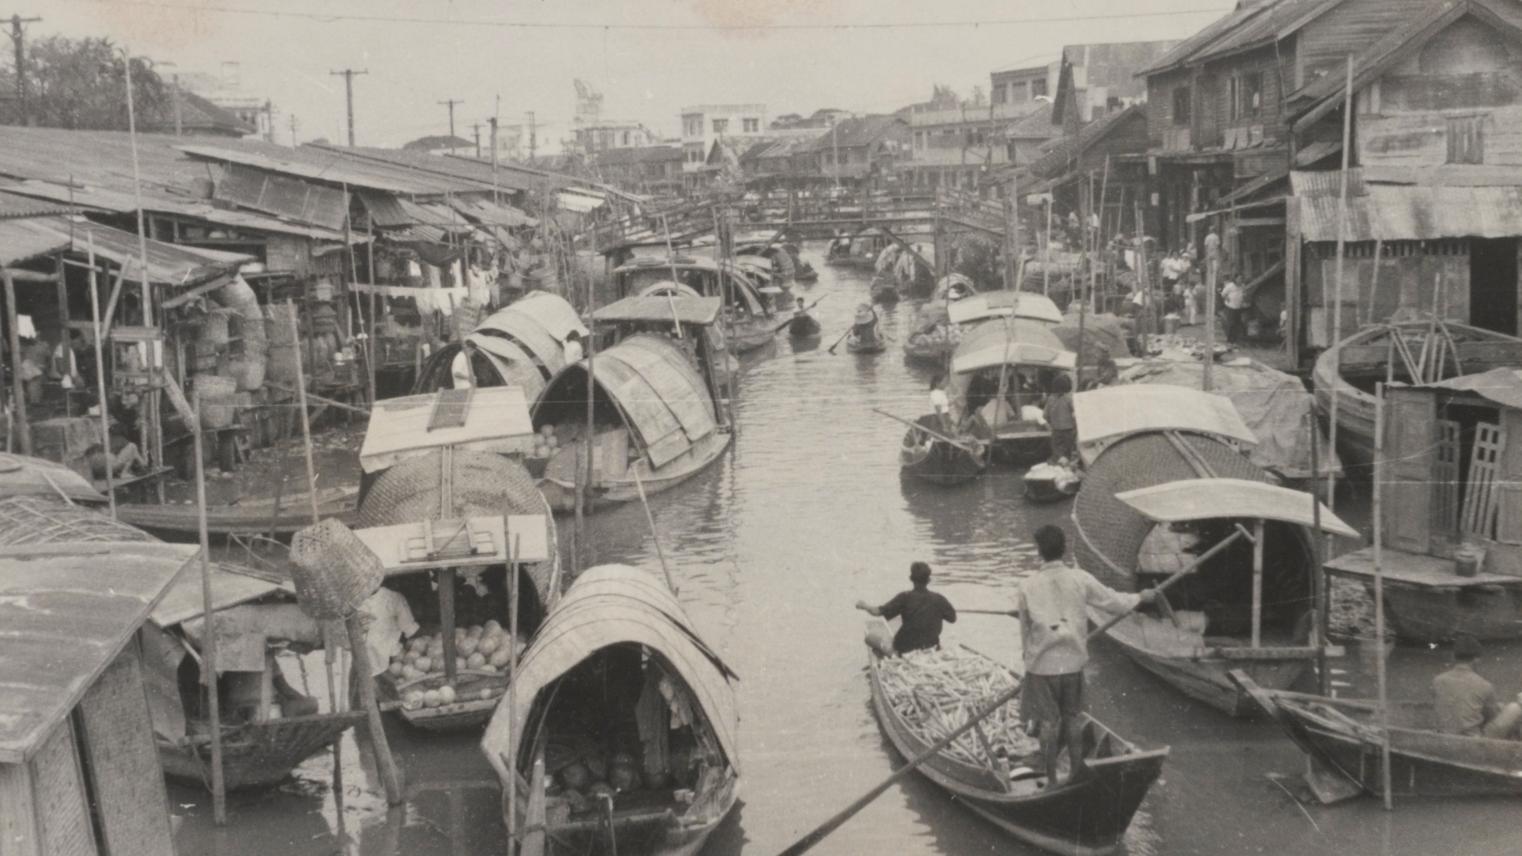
[325, 18]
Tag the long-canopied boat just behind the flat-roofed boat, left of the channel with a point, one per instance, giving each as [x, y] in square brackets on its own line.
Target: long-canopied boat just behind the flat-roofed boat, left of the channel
[748, 319]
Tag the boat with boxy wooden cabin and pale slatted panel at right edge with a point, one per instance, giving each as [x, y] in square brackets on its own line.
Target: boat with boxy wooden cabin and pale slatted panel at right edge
[1453, 552]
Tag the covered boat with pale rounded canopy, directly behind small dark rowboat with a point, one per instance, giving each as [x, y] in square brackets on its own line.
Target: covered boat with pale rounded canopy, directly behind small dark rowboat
[1004, 363]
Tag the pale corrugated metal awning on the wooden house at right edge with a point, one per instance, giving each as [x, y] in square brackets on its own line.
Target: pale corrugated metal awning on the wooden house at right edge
[1390, 212]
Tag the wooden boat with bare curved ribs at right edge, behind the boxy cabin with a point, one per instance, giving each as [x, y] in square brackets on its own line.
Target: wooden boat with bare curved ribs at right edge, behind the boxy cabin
[1354, 366]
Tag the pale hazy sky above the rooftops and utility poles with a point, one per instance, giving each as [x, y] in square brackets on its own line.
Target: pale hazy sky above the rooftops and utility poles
[649, 59]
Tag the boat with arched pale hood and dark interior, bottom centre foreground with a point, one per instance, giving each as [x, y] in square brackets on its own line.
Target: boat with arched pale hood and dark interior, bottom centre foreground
[617, 622]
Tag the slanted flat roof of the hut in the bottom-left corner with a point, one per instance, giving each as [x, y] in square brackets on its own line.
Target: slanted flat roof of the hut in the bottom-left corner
[68, 612]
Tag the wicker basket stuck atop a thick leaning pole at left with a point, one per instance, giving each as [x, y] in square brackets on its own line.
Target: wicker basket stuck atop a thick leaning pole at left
[334, 572]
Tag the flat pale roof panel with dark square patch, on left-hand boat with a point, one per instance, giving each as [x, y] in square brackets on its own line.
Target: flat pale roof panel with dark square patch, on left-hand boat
[492, 420]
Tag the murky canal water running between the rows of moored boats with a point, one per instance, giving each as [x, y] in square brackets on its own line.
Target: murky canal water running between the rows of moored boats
[771, 549]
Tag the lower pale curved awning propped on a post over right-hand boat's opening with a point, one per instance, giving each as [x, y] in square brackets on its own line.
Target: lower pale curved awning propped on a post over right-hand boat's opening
[1214, 499]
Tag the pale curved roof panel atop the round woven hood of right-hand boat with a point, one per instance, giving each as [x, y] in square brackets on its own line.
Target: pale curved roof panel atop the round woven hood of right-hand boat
[1109, 414]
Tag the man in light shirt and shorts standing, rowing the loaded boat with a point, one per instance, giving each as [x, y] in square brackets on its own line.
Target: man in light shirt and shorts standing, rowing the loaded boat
[1054, 634]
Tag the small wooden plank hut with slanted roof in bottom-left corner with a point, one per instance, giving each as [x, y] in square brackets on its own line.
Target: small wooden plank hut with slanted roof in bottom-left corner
[78, 767]
